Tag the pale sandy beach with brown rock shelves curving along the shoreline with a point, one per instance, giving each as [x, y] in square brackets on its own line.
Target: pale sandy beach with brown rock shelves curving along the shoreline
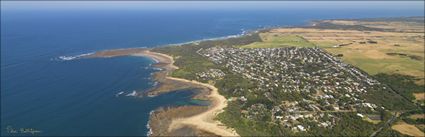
[203, 121]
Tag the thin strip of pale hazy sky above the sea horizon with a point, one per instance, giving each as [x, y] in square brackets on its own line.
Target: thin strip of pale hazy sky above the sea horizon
[204, 5]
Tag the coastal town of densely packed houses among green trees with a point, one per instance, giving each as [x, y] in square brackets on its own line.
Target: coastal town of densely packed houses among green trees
[302, 84]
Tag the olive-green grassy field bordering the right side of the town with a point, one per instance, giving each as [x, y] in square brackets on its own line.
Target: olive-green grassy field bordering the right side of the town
[374, 61]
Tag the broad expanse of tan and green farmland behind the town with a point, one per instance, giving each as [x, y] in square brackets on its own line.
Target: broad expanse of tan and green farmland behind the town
[370, 57]
